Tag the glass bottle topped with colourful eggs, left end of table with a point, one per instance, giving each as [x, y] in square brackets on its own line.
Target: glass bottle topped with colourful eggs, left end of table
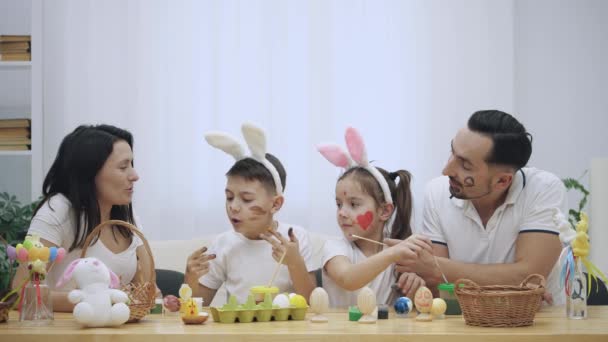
[34, 296]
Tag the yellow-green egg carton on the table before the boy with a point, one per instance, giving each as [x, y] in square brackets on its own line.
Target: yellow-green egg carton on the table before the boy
[251, 312]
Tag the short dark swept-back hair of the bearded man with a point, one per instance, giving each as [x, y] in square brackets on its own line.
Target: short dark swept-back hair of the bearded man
[512, 144]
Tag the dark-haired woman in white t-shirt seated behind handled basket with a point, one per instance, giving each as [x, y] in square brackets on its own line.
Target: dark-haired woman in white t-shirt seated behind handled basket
[91, 181]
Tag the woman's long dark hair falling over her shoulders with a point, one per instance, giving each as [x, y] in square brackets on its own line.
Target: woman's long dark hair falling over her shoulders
[81, 156]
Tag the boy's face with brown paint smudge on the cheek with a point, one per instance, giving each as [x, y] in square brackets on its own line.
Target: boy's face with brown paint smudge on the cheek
[250, 206]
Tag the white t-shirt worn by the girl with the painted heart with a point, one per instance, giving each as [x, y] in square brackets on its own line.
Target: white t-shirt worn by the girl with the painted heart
[341, 298]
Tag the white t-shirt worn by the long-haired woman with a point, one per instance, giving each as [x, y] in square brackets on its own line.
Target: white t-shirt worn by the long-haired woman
[57, 226]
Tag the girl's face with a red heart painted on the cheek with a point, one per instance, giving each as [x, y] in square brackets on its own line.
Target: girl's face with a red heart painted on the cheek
[357, 212]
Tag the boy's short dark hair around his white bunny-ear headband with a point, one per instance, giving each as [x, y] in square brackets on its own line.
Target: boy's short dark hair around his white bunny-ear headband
[250, 169]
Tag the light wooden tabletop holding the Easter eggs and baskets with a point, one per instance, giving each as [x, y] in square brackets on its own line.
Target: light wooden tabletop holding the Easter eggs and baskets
[551, 325]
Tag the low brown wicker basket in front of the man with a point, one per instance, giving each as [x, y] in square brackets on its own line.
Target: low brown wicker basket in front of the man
[500, 305]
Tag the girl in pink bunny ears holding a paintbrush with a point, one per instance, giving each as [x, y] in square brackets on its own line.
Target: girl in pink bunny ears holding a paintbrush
[370, 205]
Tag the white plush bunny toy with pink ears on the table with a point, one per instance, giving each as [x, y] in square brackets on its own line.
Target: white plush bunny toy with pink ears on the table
[95, 297]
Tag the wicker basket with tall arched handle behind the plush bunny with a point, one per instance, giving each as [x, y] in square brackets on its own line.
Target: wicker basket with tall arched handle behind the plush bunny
[141, 292]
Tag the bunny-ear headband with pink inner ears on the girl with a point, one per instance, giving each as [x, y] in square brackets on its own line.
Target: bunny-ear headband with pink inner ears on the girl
[357, 158]
